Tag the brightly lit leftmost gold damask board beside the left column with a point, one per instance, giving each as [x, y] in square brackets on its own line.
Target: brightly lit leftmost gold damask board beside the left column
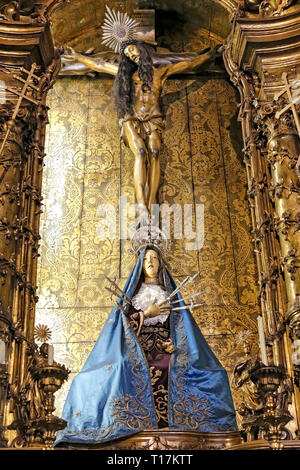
[63, 176]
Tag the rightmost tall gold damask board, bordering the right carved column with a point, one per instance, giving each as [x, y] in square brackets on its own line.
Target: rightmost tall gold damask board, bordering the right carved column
[245, 268]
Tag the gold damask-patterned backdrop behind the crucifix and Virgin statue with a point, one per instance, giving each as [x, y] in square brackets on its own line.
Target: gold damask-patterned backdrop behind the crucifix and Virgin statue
[86, 166]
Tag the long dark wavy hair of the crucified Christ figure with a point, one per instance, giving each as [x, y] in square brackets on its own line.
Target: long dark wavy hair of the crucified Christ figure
[123, 90]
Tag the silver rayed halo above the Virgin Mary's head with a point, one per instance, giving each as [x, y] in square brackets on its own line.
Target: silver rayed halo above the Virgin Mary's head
[148, 235]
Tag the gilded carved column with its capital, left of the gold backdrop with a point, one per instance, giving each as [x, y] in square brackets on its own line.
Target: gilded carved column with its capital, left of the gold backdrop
[28, 67]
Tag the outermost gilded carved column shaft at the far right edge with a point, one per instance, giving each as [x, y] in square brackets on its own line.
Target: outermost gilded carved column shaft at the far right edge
[283, 152]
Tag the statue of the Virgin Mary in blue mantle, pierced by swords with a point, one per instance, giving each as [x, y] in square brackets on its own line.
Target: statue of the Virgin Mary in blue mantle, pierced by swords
[150, 368]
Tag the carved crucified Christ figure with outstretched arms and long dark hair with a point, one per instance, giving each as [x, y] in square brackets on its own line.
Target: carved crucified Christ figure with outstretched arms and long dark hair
[140, 77]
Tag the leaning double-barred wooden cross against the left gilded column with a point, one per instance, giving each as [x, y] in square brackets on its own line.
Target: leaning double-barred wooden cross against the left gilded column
[22, 95]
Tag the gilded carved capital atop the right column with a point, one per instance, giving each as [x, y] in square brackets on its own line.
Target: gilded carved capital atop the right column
[264, 43]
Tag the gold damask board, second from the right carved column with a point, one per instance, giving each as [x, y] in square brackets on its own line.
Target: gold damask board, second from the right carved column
[216, 257]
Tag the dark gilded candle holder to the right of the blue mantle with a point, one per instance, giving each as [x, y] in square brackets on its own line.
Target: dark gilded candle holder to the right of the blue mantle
[275, 416]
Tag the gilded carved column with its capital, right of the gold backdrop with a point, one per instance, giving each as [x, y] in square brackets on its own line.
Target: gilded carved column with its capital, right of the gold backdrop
[262, 50]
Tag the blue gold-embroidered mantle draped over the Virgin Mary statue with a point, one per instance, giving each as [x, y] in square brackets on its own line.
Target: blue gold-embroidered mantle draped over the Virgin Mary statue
[112, 396]
